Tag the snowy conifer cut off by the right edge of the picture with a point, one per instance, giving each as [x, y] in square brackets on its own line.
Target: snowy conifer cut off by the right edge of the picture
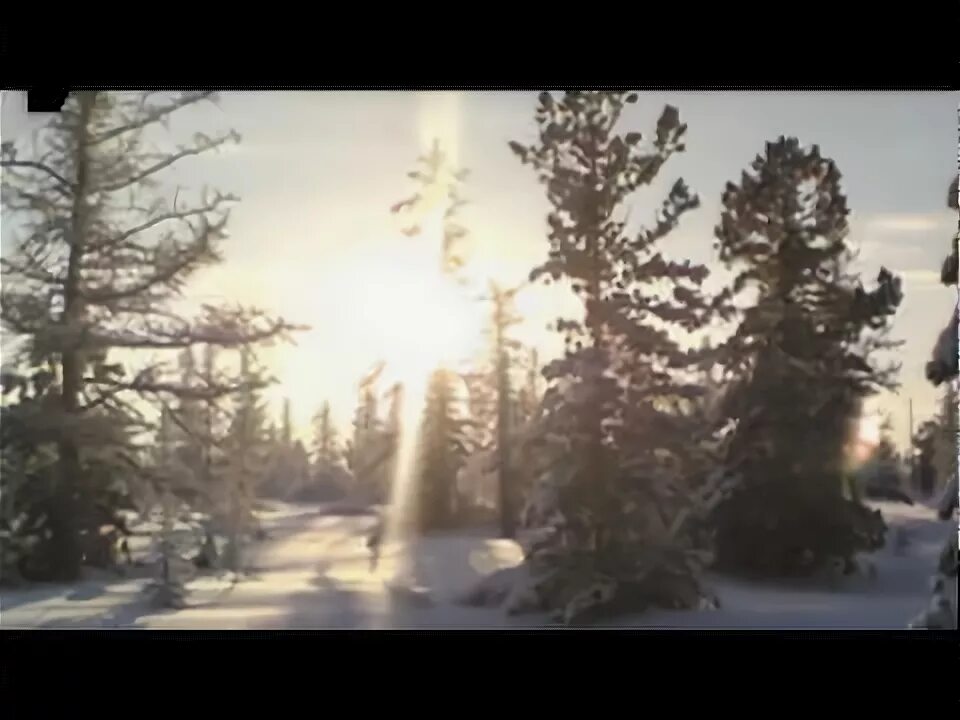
[941, 613]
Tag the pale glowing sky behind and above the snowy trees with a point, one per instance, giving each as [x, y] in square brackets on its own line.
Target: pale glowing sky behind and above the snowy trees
[318, 172]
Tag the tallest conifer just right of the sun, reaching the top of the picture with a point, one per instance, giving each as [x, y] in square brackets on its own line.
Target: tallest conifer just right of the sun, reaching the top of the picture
[614, 535]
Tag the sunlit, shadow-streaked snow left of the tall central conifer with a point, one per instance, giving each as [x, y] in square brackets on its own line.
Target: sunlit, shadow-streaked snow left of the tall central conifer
[313, 572]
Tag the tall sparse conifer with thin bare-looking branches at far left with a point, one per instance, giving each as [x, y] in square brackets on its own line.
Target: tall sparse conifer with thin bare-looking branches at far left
[99, 260]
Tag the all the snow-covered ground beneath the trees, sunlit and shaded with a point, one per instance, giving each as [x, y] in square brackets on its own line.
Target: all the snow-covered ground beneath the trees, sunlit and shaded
[314, 572]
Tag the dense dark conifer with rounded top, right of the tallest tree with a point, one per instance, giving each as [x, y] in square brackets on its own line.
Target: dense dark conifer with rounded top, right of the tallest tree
[801, 365]
